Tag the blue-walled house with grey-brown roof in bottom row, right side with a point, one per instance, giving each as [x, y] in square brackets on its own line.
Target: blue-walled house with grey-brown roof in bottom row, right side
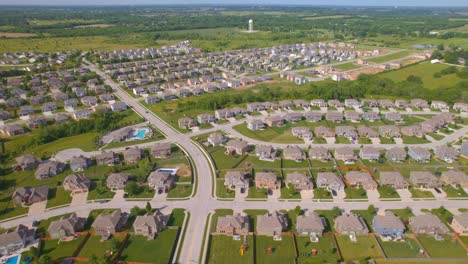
[388, 225]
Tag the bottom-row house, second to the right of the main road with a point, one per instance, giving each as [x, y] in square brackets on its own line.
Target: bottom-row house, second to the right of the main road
[271, 224]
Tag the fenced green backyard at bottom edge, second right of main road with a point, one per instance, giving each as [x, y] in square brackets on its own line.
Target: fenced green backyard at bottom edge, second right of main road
[280, 251]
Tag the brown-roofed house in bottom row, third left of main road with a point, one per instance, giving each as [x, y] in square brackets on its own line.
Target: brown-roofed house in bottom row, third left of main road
[65, 227]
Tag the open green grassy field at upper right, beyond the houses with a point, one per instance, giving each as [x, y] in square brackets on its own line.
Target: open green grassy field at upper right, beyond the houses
[426, 72]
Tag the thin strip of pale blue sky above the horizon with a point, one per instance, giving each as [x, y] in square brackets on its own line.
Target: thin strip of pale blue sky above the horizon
[423, 3]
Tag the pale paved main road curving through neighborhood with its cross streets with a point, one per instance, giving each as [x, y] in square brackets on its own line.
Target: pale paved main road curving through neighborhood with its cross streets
[203, 202]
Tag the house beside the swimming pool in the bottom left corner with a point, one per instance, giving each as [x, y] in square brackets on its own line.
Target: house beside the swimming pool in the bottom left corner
[13, 240]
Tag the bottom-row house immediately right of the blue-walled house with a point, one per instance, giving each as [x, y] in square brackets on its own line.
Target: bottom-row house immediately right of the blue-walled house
[427, 224]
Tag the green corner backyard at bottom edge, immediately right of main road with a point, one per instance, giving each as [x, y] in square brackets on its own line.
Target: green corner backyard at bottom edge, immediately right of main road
[223, 249]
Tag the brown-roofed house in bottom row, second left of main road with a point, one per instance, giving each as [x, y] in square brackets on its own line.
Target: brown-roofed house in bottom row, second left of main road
[108, 224]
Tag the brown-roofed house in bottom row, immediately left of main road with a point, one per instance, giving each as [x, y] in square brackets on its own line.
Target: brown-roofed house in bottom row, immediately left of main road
[150, 225]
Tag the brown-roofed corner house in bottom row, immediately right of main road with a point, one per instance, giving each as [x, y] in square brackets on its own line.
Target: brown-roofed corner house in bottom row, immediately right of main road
[233, 225]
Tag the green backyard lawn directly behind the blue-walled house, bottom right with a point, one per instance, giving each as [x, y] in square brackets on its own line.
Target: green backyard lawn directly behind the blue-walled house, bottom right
[404, 249]
